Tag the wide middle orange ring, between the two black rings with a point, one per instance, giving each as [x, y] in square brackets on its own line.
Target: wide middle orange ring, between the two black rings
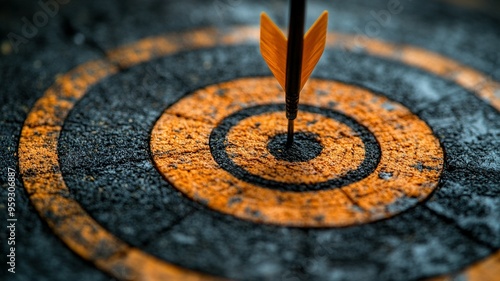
[406, 142]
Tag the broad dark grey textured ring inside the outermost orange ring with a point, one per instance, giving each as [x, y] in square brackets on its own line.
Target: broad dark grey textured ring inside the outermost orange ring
[374, 251]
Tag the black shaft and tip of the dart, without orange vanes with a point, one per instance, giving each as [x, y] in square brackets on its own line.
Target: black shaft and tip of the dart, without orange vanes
[294, 61]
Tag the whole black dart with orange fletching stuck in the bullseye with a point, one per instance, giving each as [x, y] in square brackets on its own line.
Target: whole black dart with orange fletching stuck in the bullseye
[292, 61]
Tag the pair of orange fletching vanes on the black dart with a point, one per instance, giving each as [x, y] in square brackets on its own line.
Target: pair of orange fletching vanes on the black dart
[273, 47]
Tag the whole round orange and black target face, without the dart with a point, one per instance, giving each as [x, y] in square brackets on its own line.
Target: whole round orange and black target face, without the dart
[164, 161]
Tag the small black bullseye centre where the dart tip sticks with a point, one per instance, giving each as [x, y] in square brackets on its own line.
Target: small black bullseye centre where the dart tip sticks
[305, 147]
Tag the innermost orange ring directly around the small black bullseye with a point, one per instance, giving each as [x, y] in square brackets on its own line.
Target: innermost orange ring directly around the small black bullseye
[342, 149]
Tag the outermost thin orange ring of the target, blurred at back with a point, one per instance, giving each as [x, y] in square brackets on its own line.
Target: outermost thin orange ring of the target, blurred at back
[39, 164]
